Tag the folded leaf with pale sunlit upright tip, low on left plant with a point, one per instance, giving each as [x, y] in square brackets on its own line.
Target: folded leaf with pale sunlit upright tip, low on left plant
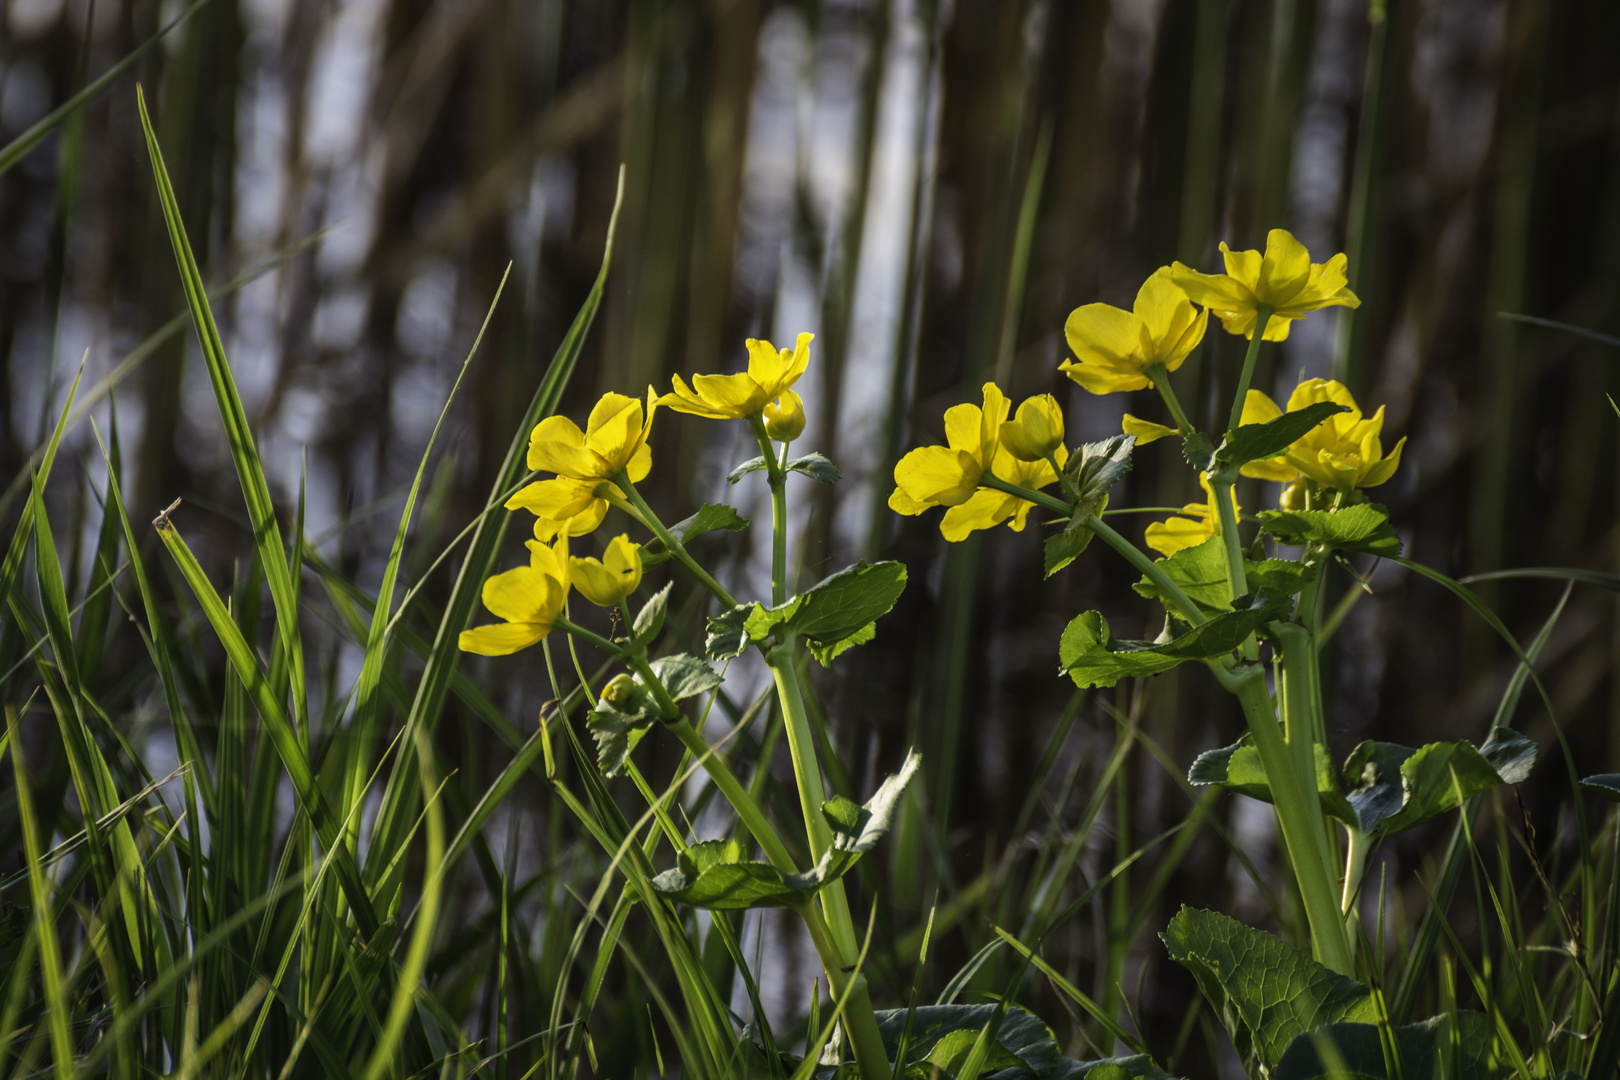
[717, 877]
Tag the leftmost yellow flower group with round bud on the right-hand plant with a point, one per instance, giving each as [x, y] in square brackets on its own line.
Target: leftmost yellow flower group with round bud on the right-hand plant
[984, 443]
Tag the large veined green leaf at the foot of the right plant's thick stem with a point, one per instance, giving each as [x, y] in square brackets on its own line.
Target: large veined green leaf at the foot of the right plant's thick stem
[1266, 992]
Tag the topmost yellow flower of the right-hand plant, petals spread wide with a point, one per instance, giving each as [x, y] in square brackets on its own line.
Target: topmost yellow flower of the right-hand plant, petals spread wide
[1284, 278]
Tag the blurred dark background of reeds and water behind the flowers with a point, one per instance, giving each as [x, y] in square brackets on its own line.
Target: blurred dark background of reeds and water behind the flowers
[931, 189]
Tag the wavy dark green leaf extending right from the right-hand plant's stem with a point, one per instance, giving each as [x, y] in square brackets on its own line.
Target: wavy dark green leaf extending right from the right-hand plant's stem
[1396, 788]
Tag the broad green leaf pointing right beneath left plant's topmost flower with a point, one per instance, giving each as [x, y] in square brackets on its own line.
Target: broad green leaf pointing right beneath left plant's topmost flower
[832, 616]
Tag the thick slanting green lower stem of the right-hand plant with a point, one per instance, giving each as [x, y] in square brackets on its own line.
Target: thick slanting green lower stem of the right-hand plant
[1305, 849]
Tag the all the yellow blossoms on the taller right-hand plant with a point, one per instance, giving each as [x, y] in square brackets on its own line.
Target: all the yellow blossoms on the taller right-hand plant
[1119, 351]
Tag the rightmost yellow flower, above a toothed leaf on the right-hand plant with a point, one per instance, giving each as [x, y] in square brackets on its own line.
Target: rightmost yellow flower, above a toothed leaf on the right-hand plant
[1341, 453]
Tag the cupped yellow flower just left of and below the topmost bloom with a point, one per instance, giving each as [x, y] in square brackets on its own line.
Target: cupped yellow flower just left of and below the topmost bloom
[1114, 347]
